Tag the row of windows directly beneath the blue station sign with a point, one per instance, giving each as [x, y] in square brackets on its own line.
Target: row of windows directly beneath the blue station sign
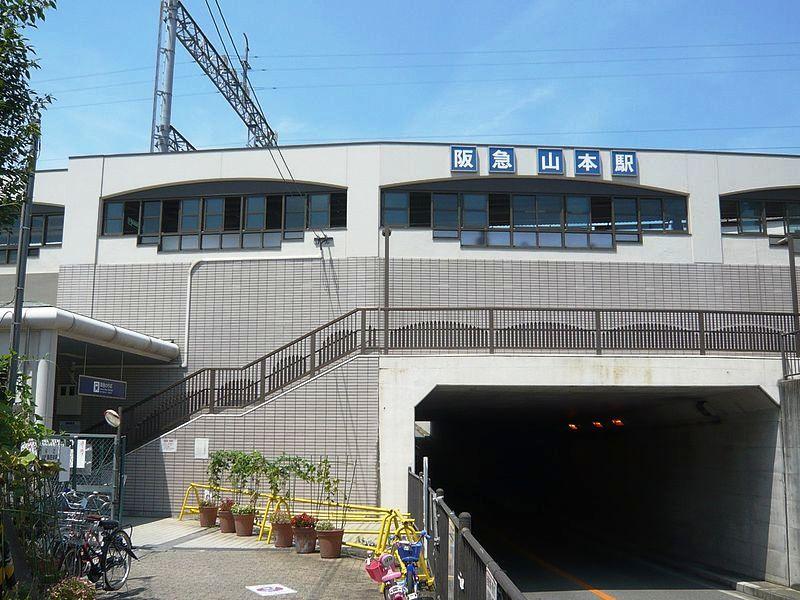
[524, 220]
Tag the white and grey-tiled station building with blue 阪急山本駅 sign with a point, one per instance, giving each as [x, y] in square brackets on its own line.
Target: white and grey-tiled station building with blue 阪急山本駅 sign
[601, 324]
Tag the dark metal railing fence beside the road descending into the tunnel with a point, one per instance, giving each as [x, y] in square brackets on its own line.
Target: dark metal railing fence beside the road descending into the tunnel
[461, 566]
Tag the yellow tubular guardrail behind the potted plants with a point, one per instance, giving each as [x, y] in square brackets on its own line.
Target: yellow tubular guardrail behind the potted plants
[390, 524]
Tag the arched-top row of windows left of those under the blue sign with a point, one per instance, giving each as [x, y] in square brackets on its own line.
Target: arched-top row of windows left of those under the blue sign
[224, 222]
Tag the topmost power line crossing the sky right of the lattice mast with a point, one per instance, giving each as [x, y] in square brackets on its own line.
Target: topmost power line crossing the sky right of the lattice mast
[531, 50]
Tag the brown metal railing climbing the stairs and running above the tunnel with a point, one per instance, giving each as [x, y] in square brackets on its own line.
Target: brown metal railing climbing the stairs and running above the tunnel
[455, 330]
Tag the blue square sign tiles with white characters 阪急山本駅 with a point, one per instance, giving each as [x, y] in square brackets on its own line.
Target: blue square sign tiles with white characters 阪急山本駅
[549, 161]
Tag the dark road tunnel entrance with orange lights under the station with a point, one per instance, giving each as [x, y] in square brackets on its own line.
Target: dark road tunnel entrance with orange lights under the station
[571, 488]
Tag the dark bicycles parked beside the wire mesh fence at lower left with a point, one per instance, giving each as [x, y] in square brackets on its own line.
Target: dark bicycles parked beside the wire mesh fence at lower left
[93, 546]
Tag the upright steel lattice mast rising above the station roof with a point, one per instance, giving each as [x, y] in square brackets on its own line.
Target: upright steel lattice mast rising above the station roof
[163, 92]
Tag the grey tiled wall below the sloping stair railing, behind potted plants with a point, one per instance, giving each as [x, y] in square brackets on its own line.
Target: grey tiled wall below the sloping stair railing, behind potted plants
[335, 414]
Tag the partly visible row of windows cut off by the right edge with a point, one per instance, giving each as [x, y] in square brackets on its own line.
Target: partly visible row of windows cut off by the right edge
[758, 217]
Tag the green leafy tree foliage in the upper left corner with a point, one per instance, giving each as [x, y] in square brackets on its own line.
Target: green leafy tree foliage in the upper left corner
[20, 106]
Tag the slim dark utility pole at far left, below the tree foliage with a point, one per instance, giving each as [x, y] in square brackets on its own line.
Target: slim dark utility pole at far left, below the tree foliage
[22, 266]
